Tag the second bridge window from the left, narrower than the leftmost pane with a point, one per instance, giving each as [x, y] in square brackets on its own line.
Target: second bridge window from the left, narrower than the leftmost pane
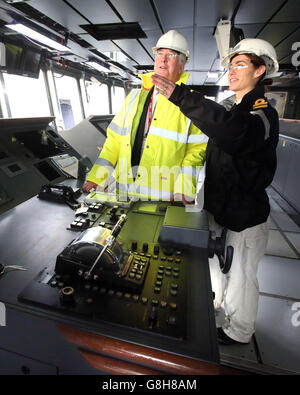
[69, 99]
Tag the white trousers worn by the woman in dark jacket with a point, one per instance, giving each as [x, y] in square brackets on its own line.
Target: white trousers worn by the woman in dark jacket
[238, 290]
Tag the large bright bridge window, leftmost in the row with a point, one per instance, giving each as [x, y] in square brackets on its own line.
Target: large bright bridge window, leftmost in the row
[27, 96]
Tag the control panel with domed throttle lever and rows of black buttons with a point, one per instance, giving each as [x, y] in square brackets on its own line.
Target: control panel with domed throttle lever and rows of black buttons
[129, 281]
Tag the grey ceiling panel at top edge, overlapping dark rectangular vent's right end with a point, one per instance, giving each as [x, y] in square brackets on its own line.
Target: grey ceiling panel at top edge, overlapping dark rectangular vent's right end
[137, 11]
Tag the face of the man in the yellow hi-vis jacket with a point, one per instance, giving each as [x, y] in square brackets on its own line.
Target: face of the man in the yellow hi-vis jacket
[167, 64]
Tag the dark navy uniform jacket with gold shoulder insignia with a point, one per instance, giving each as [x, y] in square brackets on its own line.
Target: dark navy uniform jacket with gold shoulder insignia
[240, 155]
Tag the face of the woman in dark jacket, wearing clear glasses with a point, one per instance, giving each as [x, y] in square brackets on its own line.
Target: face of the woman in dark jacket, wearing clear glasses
[243, 76]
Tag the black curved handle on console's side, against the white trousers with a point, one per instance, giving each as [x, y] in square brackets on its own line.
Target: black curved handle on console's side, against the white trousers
[216, 245]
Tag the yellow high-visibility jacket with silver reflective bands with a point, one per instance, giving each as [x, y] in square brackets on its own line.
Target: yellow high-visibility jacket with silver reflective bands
[173, 155]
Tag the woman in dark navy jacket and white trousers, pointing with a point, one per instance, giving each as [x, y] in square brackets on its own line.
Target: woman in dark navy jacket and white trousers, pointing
[240, 165]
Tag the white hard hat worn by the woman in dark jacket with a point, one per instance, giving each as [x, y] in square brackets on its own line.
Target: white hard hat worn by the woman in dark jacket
[258, 47]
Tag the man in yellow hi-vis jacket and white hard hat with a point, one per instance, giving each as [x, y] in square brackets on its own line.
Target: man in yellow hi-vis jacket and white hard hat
[152, 150]
